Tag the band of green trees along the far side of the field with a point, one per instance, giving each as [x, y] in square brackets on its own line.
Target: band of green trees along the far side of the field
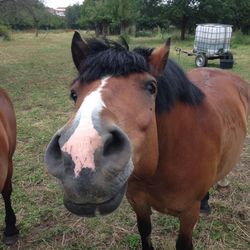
[128, 16]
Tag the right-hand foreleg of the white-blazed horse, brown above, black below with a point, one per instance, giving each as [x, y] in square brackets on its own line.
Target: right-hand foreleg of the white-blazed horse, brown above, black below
[188, 220]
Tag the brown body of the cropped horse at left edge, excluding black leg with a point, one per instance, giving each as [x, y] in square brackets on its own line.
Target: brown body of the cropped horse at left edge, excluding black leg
[7, 135]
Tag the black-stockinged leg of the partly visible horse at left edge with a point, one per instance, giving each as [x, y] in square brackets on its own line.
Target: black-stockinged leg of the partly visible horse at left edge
[10, 231]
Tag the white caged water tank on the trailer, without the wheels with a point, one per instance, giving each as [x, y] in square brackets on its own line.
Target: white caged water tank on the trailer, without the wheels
[212, 39]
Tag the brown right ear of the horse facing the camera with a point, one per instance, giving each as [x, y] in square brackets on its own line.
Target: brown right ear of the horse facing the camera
[158, 58]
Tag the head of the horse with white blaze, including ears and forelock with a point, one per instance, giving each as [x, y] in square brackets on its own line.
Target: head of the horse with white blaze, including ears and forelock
[113, 132]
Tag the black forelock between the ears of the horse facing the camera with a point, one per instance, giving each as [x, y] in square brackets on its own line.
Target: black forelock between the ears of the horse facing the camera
[106, 58]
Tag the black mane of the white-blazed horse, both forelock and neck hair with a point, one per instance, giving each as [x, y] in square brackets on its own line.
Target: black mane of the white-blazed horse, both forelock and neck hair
[111, 58]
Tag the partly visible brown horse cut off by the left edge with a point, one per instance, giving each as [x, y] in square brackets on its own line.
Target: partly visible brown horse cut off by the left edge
[7, 148]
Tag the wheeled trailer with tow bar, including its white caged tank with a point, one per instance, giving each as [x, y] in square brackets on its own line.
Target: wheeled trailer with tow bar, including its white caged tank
[212, 41]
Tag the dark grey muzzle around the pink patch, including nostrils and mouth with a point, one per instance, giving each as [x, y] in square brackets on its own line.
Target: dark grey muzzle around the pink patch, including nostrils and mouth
[97, 189]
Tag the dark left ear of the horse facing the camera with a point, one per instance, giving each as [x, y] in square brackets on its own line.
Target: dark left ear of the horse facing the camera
[79, 49]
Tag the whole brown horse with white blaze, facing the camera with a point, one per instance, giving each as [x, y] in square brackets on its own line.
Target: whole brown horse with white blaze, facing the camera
[143, 126]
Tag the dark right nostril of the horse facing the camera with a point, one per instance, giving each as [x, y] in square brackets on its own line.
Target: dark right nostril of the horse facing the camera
[114, 143]
